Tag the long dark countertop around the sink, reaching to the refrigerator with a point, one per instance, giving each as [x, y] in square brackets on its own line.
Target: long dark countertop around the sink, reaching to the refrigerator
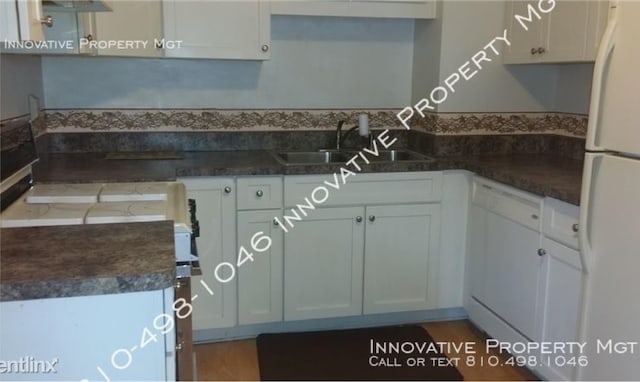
[542, 174]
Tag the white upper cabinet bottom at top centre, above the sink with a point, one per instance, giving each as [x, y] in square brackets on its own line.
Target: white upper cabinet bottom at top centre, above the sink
[412, 9]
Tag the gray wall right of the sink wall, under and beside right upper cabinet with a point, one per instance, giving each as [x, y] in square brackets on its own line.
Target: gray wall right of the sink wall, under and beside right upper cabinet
[465, 28]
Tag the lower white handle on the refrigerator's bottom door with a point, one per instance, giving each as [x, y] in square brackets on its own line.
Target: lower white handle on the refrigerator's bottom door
[584, 242]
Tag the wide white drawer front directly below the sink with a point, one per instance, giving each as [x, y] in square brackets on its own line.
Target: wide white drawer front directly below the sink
[386, 188]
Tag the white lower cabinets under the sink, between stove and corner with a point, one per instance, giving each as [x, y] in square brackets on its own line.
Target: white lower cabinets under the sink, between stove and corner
[373, 247]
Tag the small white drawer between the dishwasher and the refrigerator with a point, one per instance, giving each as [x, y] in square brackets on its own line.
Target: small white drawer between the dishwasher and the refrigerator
[560, 222]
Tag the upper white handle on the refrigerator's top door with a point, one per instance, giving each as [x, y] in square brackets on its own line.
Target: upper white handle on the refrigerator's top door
[606, 46]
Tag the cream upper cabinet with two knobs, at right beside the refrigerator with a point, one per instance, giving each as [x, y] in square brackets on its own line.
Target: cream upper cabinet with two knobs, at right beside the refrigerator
[539, 32]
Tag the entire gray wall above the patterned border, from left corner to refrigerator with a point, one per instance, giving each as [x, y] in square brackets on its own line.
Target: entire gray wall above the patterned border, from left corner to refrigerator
[328, 62]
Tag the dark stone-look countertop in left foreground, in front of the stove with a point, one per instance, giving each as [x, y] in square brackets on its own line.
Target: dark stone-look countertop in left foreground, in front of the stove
[84, 260]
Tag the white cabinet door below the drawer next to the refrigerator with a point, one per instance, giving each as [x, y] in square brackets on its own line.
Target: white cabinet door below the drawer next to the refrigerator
[561, 294]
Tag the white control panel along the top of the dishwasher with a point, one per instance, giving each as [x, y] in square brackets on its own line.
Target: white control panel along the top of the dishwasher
[521, 207]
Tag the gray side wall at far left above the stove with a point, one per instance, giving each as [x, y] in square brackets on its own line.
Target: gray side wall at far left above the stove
[20, 76]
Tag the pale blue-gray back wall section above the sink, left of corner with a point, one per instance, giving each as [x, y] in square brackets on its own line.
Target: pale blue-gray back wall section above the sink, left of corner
[316, 62]
